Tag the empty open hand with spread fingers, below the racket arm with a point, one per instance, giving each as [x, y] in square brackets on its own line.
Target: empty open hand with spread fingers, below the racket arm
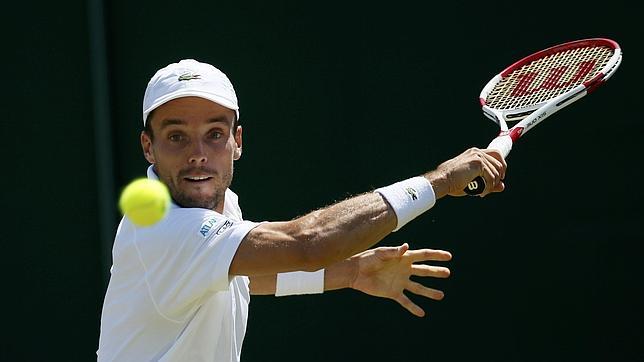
[385, 271]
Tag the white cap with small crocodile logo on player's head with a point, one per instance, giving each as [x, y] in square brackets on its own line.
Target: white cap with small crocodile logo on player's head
[189, 78]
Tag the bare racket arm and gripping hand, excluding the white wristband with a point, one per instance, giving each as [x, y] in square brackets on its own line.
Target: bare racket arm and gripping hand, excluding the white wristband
[329, 235]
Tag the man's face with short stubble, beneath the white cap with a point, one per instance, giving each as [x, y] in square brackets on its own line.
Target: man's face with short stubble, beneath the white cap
[193, 149]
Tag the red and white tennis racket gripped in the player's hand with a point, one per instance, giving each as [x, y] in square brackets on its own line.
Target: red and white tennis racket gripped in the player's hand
[537, 86]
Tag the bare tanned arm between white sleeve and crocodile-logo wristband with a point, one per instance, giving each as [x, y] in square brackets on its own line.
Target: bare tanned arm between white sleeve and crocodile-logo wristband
[316, 240]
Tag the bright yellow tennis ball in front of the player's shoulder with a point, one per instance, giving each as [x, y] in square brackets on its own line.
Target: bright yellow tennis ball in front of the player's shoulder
[145, 202]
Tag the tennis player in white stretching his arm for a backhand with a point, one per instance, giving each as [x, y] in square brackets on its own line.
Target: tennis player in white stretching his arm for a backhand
[179, 290]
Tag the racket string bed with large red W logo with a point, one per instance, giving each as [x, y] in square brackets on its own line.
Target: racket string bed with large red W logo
[548, 77]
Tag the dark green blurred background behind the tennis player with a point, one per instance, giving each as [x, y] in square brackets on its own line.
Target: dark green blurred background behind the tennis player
[336, 99]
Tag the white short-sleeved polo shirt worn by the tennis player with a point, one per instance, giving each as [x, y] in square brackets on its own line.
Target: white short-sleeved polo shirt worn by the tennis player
[170, 297]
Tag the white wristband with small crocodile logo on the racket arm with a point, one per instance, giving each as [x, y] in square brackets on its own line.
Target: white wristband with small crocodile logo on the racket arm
[409, 198]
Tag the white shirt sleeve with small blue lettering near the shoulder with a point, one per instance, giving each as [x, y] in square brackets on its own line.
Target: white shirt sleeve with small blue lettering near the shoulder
[187, 257]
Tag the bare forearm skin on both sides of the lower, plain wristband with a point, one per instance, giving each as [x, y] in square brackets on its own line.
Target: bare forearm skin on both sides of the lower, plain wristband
[337, 276]
